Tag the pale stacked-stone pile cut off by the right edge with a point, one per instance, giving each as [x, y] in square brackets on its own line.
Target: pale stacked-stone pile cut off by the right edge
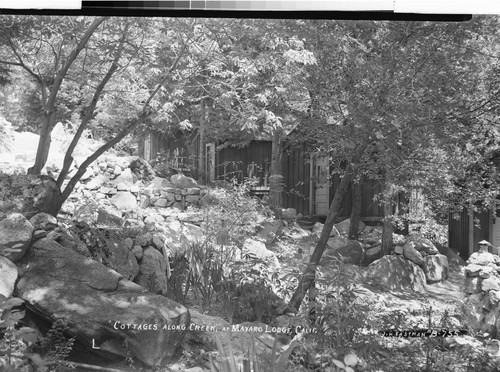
[482, 291]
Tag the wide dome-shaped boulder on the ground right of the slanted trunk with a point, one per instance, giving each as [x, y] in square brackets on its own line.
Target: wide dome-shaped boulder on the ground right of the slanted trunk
[396, 273]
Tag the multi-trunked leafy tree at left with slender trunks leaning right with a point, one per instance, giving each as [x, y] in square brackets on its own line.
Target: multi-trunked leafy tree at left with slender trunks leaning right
[120, 67]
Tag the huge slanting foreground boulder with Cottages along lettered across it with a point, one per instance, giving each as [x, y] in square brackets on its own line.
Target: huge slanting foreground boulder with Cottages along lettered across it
[101, 308]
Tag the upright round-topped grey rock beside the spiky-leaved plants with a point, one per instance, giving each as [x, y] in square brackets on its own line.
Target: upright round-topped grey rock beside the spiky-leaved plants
[153, 272]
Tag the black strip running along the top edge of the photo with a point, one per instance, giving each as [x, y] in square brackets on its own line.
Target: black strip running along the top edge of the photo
[186, 8]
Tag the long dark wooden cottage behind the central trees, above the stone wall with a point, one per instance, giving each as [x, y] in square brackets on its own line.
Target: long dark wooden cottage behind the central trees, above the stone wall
[308, 186]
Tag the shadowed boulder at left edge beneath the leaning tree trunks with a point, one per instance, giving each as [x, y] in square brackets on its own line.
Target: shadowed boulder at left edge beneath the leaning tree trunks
[28, 195]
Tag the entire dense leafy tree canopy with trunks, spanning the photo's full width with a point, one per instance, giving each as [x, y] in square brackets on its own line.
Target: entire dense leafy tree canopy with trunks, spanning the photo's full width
[412, 105]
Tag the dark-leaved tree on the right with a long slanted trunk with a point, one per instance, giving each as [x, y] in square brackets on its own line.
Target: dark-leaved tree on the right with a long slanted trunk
[389, 92]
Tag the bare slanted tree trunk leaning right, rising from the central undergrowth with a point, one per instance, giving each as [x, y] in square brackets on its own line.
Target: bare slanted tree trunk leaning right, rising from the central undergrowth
[309, 274]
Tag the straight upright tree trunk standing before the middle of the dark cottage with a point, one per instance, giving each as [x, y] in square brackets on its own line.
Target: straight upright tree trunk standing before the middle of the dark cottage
[276, 178]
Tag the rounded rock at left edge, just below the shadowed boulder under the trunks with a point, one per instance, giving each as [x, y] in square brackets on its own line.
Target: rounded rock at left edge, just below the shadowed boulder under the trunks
[16, 233]
